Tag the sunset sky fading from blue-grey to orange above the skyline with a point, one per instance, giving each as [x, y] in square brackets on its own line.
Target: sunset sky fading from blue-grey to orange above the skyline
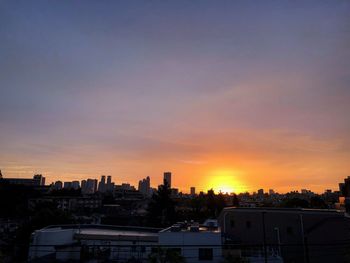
[230, 95]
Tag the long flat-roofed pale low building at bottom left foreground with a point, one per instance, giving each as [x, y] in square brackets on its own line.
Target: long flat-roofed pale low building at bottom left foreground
[92, 242]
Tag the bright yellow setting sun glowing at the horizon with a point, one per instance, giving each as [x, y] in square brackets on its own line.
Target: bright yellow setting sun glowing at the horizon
[224, 180]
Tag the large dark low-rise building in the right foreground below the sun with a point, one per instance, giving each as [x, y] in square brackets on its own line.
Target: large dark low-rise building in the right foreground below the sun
[297, 235]
